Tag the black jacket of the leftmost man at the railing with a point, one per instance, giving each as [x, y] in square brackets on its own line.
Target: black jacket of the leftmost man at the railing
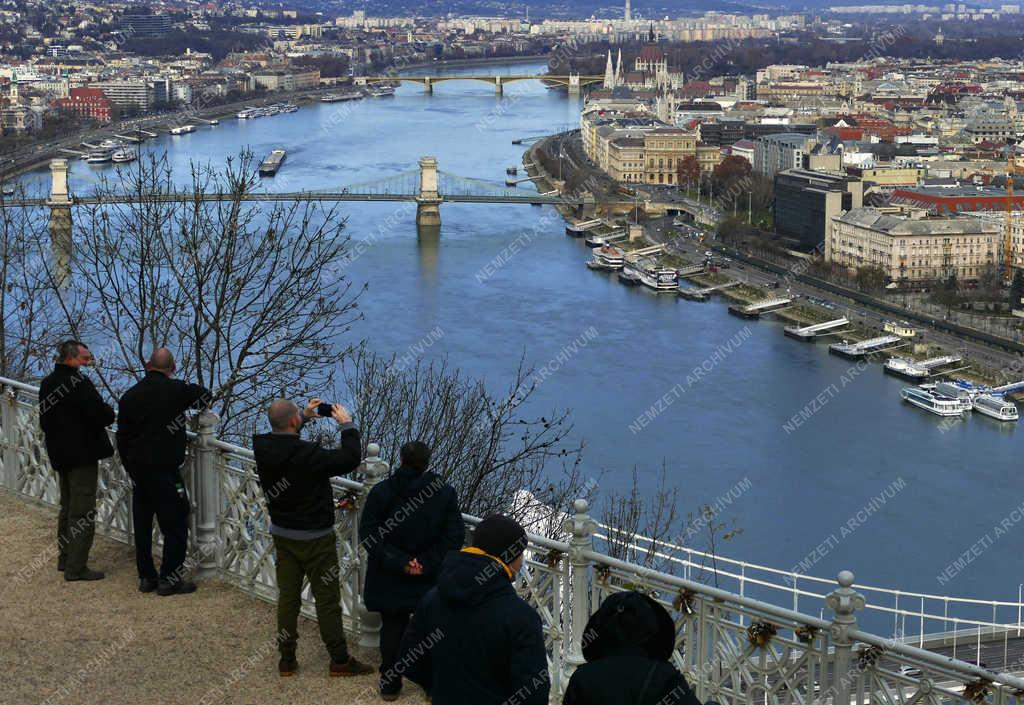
[74, 419]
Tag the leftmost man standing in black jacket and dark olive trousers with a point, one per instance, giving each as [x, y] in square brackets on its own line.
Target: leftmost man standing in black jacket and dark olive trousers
[74, 419]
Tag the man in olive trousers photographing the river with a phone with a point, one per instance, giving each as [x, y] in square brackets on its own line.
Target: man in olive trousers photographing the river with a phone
[295, 476]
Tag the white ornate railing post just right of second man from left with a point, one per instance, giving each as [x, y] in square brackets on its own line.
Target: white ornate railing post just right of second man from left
[207, 483]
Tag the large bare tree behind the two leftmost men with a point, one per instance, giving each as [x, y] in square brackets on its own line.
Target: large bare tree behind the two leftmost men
[252, 299]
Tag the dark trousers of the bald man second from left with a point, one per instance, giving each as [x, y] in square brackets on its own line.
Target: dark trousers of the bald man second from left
[155, 493]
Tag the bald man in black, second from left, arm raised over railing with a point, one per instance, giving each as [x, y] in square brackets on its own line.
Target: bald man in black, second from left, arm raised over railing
[152, 443]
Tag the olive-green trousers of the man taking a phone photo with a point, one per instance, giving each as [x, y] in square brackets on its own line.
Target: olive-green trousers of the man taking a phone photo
[318, 561]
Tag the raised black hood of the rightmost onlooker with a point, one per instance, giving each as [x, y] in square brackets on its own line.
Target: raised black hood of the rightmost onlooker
[630, 623]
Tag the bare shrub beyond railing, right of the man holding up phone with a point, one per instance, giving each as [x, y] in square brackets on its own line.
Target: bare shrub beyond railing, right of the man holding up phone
[498, 458]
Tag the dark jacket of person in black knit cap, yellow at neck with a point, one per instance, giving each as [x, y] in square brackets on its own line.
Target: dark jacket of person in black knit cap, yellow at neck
[474, 641]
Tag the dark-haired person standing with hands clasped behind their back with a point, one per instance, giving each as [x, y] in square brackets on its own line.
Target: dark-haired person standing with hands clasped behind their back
[411, 521]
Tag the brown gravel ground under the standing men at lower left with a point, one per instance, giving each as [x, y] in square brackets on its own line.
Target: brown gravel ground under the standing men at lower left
[106, 643]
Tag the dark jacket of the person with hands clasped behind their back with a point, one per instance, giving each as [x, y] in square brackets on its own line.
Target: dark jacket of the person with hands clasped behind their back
[409, 516]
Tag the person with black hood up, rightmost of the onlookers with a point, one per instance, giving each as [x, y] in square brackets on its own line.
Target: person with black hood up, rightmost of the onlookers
[628, 644]
